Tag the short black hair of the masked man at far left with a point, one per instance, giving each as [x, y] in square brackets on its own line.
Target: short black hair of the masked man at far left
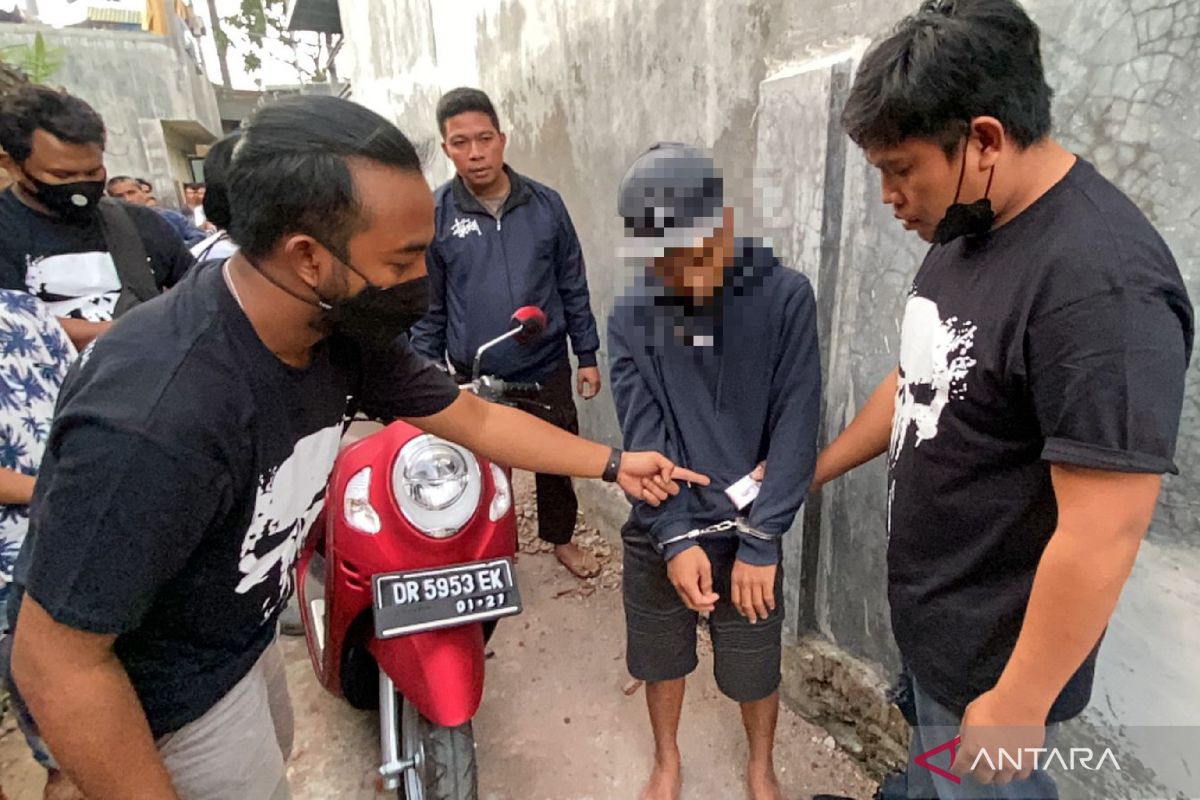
[32, 109]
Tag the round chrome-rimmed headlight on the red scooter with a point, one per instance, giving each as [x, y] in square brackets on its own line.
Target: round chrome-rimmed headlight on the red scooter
[437, 485]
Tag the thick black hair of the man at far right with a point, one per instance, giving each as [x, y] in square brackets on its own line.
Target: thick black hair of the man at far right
[950, 63]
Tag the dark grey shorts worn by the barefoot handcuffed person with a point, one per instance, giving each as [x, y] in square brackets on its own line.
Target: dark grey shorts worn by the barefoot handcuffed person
[661, 631]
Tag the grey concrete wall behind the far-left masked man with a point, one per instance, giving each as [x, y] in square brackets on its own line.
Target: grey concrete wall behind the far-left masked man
[134, 81]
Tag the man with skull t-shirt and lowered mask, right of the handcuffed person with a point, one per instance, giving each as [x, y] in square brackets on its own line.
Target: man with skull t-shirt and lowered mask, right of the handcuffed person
[1037, 400]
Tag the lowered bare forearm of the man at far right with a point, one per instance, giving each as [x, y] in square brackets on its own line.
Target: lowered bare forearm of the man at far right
[1076, 591]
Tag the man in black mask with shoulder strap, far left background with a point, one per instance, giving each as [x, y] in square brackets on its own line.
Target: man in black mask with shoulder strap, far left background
[56, 242]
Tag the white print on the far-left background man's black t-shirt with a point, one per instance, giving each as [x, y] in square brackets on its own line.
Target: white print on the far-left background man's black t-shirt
[79, 286]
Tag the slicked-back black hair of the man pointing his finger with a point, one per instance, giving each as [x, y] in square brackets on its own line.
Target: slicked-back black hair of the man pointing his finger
[290, 172]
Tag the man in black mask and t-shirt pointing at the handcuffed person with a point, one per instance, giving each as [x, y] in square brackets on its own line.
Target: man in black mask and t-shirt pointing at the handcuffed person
[179, 479]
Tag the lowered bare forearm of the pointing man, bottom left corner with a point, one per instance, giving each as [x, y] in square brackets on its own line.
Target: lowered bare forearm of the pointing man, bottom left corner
[93, 723]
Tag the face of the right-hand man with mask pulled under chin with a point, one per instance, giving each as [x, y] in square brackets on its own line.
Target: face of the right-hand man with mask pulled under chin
[920, 182]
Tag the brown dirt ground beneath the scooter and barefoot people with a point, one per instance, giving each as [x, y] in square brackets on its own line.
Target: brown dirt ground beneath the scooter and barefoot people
[556, 723]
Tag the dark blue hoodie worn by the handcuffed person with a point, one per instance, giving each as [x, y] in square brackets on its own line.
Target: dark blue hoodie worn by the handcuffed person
[719, 389]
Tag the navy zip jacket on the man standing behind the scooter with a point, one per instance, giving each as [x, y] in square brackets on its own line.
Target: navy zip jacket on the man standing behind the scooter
[483, 269]
